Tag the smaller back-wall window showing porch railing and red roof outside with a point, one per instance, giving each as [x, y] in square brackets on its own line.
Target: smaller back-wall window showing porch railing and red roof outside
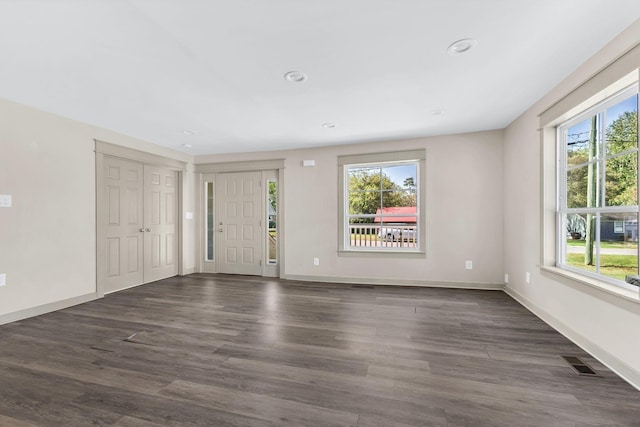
[381, 203]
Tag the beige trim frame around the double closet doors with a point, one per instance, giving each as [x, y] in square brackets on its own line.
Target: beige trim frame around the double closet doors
[105, 149]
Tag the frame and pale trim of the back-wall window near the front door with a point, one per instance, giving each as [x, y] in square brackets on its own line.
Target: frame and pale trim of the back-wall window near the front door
[416, 157]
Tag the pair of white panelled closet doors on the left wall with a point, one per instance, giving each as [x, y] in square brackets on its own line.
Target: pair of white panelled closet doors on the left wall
[139, 213]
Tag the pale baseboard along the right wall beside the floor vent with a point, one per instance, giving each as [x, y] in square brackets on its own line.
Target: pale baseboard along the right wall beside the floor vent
[626, 372]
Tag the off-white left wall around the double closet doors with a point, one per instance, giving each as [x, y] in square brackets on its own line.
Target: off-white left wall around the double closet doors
[47, 239]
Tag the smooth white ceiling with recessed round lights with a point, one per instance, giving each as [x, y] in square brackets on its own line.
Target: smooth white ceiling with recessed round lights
[376, 68]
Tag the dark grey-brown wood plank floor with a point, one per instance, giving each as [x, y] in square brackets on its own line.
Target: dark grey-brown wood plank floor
[217, 350]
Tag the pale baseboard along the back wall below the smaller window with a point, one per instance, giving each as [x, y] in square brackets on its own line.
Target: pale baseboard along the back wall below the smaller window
[394, 282]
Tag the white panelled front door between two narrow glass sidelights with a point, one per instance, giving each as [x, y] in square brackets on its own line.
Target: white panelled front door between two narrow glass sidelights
[238, 223]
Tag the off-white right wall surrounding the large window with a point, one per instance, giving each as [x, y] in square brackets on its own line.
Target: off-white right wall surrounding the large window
[604, 324]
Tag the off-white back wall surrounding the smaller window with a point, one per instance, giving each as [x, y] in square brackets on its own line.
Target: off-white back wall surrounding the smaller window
[464, 213]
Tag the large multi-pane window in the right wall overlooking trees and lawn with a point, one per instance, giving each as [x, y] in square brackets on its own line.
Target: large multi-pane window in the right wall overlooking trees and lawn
[598, 190]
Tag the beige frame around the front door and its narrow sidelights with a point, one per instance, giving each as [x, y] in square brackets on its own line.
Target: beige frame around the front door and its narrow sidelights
[209, 170]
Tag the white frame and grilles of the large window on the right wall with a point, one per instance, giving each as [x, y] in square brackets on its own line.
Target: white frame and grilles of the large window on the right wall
[562, 210]
